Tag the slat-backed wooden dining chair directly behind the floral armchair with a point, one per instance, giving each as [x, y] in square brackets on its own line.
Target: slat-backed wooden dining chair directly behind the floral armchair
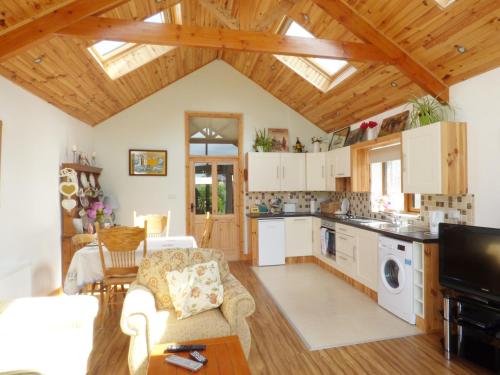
[121, 243]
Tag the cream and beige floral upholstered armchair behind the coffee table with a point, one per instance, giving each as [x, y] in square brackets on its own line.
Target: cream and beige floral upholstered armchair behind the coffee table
[148, 316]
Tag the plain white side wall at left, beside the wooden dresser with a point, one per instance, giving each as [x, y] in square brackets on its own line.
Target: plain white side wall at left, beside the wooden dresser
[35, 141]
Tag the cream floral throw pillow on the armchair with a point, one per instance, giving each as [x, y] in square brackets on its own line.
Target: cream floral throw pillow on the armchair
[195, 289]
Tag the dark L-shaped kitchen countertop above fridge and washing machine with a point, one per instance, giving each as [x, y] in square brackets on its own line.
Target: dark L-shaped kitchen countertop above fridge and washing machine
[423, 235]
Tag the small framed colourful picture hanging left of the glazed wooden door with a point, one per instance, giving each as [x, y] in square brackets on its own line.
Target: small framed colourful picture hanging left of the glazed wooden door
[147, 162]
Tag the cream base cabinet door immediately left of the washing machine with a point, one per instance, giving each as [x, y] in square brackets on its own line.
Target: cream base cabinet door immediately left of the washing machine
[367, 258]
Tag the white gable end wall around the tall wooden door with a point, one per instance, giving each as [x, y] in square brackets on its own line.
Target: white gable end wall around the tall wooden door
[157, 122]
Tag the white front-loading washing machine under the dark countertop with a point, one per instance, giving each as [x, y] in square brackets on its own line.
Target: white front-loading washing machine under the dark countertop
[395, 286]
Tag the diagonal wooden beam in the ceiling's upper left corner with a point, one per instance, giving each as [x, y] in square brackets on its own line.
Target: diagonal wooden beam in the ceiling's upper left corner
[23, 37]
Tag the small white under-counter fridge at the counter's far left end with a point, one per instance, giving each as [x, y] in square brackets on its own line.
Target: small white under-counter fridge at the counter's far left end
[271, 242]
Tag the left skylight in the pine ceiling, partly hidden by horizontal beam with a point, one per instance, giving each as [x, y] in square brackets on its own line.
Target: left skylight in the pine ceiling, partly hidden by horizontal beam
[119, 58]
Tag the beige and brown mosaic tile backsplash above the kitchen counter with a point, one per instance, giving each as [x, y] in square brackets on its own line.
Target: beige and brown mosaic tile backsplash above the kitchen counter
[361, 205]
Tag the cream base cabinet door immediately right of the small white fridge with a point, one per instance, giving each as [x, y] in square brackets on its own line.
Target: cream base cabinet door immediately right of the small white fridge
[298, 232]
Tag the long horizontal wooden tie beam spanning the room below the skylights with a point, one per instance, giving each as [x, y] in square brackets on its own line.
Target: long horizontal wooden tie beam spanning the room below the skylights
[97, 28]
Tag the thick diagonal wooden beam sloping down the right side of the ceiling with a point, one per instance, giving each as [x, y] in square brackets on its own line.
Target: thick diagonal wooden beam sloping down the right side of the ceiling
[364, 30]
